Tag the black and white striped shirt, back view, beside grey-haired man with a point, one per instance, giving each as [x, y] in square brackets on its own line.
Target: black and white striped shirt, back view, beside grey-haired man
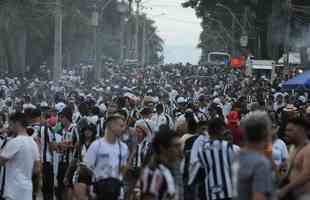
[216, 157]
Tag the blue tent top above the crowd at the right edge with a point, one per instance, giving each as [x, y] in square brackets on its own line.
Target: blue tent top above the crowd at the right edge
[300, 82]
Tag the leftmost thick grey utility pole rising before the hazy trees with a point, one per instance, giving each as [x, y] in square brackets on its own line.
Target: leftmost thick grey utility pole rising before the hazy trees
[57, 70]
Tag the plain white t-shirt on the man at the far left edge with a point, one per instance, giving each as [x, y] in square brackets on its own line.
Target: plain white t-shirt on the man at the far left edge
[21, 152]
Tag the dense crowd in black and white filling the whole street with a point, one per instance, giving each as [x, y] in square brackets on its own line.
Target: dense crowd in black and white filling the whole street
[162, 132]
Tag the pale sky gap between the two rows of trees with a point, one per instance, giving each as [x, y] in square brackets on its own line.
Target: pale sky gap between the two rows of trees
[178, 27]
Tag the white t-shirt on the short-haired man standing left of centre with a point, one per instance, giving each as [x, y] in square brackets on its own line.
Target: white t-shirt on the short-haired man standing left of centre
[104, 158]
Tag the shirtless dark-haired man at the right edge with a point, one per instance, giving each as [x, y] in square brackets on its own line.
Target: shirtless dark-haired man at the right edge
[297, 131]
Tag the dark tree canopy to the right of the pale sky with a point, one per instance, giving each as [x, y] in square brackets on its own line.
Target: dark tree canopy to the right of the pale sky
[265, 23]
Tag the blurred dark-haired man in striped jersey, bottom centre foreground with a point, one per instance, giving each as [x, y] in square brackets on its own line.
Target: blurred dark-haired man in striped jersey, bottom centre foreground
[157, 181]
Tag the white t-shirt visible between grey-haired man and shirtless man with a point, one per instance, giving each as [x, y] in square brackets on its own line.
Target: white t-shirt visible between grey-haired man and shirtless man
[279, 152]
